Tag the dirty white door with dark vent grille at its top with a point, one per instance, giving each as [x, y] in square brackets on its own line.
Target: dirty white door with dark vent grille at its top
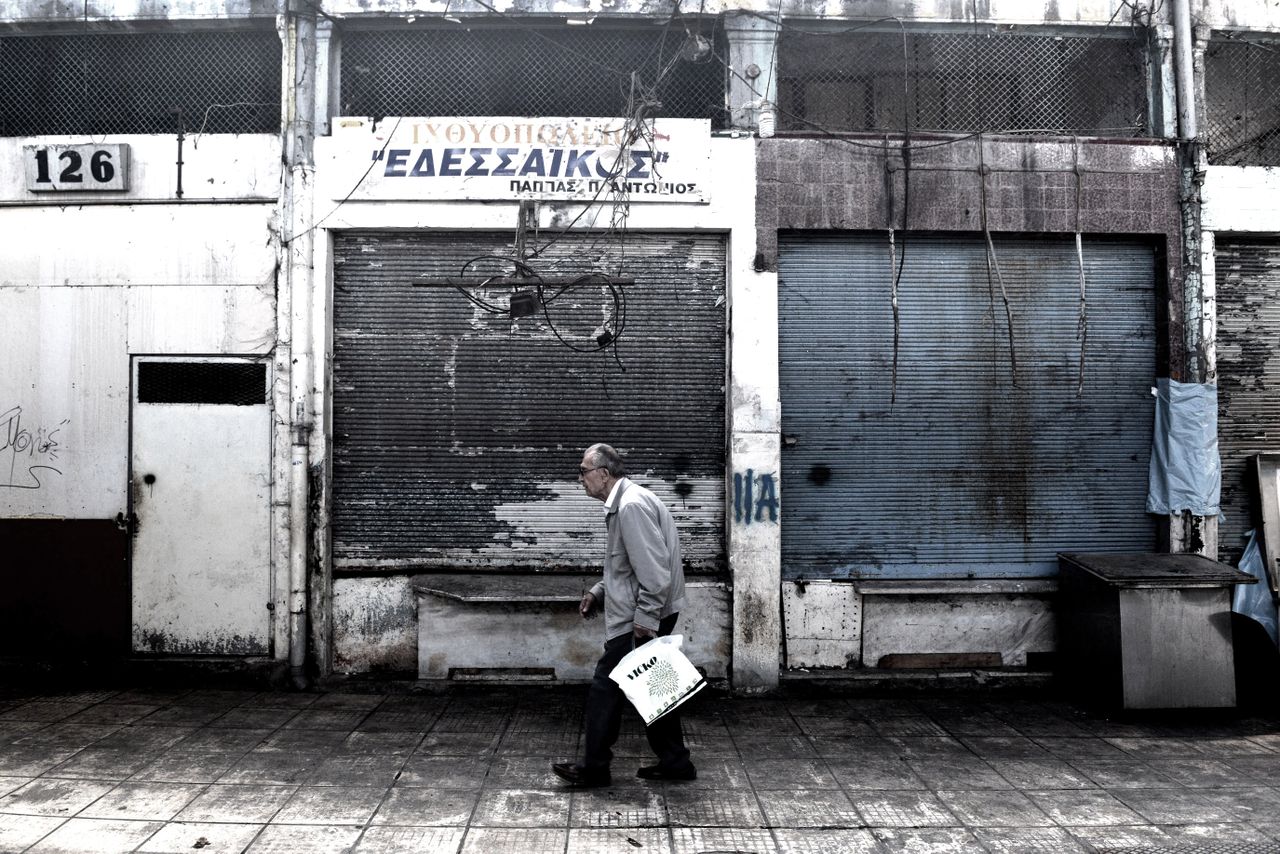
[200, 490]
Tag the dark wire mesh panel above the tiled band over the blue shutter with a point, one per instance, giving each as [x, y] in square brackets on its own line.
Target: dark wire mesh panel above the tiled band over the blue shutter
[950, 81]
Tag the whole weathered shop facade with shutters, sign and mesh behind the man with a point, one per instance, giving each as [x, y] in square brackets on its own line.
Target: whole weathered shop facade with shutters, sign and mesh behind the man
[284, 395]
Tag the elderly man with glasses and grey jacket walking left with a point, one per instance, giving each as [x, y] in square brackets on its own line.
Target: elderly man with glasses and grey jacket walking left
[642, 595]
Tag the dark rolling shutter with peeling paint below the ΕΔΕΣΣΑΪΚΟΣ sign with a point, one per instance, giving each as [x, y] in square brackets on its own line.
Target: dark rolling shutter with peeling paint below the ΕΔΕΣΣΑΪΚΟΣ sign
[458, 433]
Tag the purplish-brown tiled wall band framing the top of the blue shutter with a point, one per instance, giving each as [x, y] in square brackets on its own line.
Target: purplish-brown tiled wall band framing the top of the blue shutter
[1124, 189]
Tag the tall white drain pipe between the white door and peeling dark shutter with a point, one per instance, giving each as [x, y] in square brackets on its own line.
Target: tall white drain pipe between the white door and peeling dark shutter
[300, 81]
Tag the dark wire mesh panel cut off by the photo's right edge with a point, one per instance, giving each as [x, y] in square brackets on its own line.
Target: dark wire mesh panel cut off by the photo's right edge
[1242, 102]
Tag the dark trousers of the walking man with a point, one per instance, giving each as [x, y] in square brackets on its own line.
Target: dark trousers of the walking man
[605, 706]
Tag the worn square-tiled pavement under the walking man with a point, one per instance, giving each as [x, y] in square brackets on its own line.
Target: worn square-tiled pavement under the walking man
[217, 771]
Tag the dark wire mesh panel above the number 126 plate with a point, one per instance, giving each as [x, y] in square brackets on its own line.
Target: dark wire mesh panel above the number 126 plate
[225, 81]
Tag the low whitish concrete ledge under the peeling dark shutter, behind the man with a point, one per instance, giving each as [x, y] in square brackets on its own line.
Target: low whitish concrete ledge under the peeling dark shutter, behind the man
[527, 628]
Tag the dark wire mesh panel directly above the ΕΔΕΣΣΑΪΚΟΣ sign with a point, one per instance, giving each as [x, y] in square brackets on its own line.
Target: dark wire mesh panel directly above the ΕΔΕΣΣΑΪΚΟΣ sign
[538, 71]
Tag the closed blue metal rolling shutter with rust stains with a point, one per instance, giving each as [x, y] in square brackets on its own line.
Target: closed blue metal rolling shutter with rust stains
[966, 474]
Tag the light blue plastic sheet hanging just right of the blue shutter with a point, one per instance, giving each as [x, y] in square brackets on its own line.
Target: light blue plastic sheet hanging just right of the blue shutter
[1186, 471]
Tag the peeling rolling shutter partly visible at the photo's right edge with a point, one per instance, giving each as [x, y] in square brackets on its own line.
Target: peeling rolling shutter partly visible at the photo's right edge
[1249, 376]
